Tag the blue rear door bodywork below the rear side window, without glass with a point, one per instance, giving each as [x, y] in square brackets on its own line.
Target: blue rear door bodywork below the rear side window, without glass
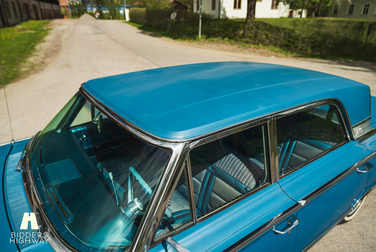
[327, 188]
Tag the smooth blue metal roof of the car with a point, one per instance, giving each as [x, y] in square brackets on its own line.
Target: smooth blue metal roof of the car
[185, 102]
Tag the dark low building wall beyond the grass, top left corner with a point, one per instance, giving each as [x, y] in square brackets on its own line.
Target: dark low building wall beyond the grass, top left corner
[26, 10]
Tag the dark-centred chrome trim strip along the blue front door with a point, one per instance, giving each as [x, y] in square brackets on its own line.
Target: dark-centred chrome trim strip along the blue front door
[263, 228]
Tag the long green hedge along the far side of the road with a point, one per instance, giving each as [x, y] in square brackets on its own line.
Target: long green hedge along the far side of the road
[330, 37]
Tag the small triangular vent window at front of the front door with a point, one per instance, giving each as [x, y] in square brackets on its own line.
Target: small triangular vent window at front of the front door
[178, 210]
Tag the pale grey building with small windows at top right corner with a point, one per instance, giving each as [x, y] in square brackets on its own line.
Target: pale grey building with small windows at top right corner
[343, 8]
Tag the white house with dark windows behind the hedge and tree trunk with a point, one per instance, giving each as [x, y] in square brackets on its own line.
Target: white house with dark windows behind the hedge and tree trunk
[238, 9]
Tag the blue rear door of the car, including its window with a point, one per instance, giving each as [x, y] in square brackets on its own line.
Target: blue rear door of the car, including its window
[320, 167]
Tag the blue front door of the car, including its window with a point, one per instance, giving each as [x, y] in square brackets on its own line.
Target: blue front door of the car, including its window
[231, 197]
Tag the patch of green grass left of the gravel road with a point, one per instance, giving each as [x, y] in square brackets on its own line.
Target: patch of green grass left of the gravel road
[17, 44]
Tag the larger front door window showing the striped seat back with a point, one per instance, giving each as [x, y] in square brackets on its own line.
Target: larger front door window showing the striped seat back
[227, 168]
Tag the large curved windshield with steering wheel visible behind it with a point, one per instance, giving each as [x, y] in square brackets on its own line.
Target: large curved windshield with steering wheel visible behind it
[94, 177]
